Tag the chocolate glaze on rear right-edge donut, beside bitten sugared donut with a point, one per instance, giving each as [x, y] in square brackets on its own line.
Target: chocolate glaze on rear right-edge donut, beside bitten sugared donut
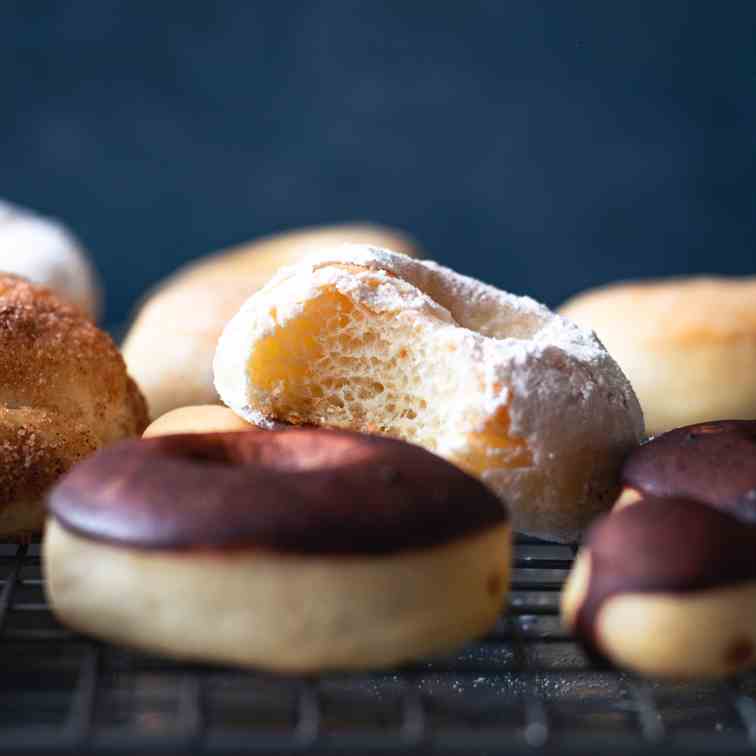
[714, 463]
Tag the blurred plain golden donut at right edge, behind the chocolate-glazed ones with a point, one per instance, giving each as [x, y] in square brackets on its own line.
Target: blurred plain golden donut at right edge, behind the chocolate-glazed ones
[691, 351]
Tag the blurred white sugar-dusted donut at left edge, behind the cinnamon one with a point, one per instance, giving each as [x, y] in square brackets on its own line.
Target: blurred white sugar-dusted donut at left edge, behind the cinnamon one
[45, 252]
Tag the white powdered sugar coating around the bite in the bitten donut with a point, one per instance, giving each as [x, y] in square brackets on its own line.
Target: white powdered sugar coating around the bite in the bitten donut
[564, 396]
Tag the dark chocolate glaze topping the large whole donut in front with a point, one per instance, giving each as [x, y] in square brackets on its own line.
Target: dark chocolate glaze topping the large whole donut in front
[299, 491]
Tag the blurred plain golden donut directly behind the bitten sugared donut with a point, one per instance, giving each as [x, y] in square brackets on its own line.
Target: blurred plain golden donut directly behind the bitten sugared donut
[169, 348]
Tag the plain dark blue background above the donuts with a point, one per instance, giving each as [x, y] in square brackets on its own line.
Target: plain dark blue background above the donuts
[544, 146]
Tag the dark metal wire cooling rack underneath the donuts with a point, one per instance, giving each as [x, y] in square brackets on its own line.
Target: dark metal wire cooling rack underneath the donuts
[525, 688]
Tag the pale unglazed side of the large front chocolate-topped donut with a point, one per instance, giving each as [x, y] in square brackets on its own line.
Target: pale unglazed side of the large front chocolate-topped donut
[320, 612]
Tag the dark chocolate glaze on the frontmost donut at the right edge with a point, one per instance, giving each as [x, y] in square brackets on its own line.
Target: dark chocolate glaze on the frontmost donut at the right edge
[658, 545]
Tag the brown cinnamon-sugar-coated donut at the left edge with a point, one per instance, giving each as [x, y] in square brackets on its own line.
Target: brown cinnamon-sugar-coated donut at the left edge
[65, 394]
